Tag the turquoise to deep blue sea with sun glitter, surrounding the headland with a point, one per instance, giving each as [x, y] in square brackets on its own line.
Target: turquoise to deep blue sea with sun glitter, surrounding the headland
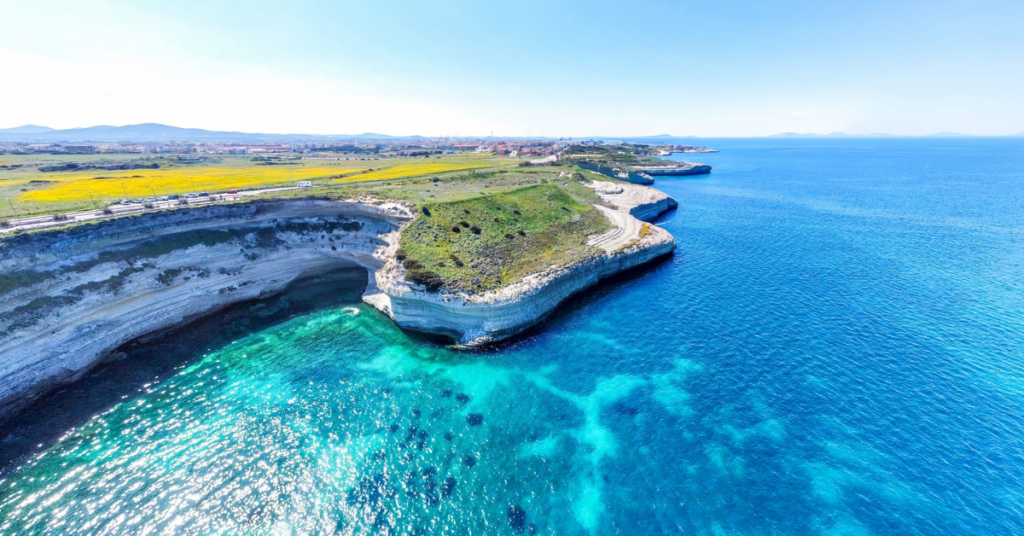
[837, 348]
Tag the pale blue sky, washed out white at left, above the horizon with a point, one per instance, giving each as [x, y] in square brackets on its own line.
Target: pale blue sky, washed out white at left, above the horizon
[575, 69]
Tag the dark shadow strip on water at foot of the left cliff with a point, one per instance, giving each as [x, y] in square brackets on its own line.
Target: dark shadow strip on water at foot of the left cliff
[138, 365]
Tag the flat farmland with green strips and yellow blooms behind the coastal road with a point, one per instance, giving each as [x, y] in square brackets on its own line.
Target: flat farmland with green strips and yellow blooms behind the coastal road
[32, 185]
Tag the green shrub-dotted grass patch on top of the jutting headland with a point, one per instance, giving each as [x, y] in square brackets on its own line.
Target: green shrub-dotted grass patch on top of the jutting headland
[483, 243]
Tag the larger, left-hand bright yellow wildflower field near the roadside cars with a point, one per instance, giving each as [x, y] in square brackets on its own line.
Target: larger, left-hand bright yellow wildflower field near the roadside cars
[107, 186]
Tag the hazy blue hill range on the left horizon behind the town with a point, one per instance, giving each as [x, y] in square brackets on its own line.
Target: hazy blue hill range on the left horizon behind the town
[149, 133]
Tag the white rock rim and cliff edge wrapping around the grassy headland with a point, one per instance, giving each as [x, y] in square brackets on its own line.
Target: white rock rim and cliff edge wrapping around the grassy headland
[481, 319]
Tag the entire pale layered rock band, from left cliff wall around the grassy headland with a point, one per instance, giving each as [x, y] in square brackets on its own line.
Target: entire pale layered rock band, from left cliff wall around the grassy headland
[69, 298]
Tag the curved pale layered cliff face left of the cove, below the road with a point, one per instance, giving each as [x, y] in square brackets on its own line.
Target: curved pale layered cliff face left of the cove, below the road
[70, 298]
